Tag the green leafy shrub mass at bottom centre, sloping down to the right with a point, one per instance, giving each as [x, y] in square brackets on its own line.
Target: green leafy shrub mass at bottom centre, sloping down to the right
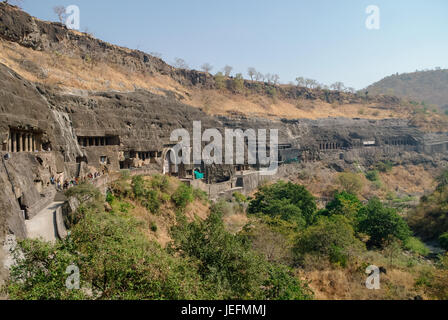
[229, 266]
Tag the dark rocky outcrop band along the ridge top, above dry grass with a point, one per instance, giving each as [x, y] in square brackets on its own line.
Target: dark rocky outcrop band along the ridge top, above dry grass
[19, 27]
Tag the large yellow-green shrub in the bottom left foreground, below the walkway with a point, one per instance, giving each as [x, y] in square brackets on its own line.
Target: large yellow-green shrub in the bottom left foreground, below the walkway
[116, 262]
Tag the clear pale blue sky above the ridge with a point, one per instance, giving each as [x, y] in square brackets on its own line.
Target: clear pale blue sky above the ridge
[326, 40]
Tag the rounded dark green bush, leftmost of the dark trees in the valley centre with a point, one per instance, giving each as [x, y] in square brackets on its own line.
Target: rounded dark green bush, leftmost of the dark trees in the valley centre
[287, 200]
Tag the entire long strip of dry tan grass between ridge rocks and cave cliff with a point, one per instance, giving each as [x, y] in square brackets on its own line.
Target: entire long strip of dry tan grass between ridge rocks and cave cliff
[74, 73]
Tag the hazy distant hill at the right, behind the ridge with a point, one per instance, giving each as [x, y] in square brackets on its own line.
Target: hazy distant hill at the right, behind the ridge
[430, 87]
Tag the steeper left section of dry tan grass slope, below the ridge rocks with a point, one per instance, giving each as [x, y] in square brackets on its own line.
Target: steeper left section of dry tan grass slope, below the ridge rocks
[75, 73]
